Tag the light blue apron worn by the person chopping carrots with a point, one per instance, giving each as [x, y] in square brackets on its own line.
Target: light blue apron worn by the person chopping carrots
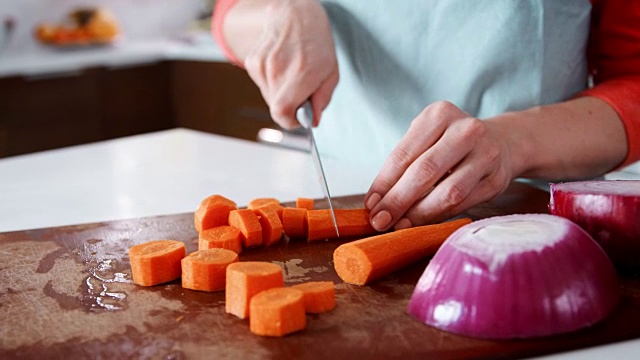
[484, 56]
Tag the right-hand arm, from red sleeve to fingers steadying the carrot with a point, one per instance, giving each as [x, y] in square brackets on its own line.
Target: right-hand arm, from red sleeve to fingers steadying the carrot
[448, 161]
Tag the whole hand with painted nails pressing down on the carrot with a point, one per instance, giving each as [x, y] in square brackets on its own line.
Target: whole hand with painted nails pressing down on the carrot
[446, 163]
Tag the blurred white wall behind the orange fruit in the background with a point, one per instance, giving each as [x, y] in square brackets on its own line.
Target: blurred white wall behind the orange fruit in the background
[139, 19]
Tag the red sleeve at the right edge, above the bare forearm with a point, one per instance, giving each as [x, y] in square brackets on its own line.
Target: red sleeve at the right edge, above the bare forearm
[614, 57]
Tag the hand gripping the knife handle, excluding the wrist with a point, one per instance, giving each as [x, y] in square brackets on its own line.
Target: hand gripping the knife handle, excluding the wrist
[294, 60]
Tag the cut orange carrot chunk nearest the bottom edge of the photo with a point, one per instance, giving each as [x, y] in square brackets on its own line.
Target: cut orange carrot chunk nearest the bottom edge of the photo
[277, 312]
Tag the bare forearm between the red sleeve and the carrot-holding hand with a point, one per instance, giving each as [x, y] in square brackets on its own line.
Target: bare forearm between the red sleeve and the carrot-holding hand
[579, 138]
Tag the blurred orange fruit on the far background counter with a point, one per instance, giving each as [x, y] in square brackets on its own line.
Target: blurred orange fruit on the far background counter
[84, 26]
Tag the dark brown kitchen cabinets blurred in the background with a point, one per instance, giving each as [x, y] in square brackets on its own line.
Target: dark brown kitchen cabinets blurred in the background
[64, 109]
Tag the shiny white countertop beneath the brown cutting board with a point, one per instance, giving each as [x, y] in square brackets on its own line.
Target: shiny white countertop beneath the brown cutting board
[170, 172]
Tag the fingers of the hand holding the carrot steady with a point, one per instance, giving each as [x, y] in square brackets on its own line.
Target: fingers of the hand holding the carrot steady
[435, 143]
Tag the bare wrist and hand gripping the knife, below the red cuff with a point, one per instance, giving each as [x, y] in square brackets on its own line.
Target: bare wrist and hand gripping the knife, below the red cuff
[287, 48]
